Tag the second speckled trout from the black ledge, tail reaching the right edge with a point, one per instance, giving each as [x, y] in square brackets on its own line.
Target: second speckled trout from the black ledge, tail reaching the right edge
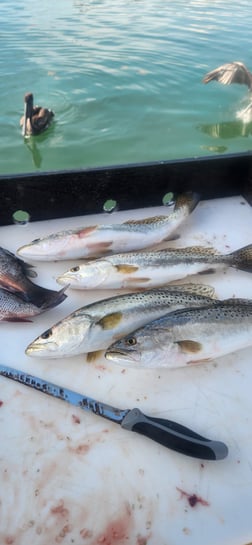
[150, 269]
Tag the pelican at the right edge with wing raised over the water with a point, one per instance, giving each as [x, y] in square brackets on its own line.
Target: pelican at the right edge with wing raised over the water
[234, 72]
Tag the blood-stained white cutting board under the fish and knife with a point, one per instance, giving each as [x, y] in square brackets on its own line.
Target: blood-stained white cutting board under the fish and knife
[70, 477]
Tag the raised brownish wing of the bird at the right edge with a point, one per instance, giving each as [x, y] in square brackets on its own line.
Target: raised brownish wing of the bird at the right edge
[232, 72]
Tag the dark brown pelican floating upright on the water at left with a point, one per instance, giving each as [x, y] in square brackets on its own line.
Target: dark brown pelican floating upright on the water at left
[35, 119]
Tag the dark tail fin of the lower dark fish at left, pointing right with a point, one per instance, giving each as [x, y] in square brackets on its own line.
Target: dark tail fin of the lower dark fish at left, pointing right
[44, 298]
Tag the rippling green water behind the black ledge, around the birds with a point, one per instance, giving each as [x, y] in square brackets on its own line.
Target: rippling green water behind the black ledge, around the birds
[124, 79]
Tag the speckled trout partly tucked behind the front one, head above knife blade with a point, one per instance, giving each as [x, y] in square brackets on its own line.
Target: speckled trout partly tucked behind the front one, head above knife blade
[95, 326]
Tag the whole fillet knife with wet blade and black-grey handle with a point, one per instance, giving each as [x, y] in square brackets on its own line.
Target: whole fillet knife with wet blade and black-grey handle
[165, 432]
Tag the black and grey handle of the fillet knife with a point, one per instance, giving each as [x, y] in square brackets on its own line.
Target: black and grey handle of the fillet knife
[174, 436]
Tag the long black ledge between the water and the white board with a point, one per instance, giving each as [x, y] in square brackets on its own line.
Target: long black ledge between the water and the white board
[50, 195]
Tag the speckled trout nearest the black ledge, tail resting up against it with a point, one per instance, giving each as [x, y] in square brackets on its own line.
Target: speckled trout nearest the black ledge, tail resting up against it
[98, 240]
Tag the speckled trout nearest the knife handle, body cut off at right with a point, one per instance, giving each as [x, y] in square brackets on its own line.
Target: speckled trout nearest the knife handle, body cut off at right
[188, 336]
